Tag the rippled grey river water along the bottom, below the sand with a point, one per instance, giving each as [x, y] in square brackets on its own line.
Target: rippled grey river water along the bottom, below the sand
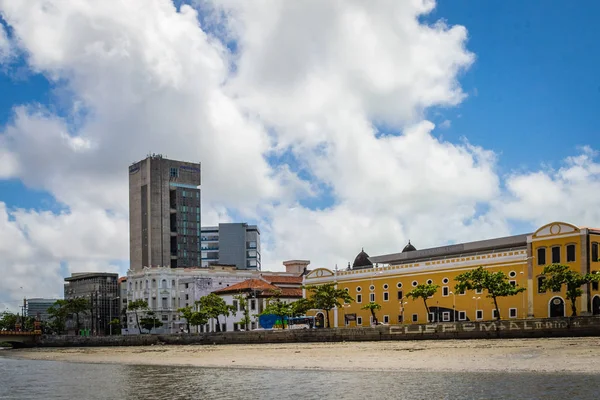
[25, 379]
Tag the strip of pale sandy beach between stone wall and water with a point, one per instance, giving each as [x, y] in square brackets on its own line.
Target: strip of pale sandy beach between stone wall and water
[547, 355]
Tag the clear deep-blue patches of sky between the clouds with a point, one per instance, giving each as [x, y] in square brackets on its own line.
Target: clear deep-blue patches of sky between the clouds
[534, 89]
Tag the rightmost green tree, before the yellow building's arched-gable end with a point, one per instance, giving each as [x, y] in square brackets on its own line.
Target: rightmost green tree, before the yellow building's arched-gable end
[559, 274]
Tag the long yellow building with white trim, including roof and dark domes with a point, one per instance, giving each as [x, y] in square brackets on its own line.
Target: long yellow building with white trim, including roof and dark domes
[387, 278]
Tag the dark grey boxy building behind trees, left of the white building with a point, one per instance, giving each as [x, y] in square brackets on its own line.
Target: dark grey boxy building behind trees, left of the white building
[100, 289]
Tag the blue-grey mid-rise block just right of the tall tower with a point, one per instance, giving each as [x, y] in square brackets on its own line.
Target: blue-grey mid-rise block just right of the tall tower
[231, 244]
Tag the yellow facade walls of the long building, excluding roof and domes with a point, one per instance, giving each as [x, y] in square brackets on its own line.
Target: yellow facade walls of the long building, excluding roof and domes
[515, 264]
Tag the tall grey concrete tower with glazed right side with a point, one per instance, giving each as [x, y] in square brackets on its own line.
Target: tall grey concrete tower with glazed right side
[164, 213]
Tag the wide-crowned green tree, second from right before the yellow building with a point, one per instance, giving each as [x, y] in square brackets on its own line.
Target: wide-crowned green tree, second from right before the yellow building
[495, 283]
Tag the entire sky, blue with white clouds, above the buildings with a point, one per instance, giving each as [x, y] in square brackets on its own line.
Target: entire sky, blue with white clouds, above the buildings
[332, 125]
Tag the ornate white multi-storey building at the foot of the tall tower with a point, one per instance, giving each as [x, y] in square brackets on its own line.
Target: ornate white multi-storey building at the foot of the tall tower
[168, 289]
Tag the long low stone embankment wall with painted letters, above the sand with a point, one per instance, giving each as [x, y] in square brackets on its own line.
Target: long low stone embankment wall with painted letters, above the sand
[529, 328]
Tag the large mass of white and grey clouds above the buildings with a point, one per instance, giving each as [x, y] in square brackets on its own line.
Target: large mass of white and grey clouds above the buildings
[324, 82]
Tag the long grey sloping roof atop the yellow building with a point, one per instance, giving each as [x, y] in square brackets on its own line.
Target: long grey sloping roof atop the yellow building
[454, 249]
